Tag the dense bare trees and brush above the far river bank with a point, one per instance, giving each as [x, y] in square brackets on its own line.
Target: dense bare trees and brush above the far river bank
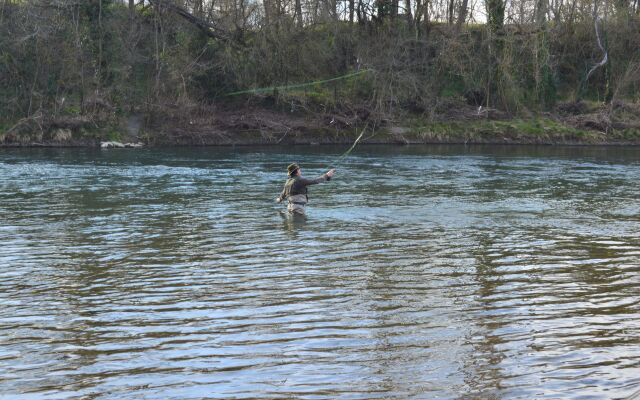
[61, 58]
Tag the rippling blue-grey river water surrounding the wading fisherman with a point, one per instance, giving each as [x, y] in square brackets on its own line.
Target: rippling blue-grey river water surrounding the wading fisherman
[419, 272]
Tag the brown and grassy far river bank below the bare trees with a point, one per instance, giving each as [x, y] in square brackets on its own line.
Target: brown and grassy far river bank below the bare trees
[569, 124]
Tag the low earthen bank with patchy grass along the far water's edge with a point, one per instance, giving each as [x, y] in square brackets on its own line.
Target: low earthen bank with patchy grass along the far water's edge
[259, 126]
